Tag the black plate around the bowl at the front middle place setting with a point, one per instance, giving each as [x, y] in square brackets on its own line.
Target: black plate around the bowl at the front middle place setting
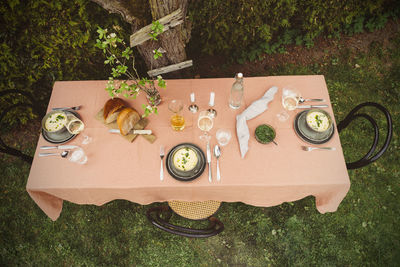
[186, 175]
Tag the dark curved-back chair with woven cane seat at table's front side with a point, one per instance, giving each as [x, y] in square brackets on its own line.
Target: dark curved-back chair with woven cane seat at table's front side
[198, 210]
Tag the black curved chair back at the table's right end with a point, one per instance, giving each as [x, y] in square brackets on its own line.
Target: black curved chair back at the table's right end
[369, 157]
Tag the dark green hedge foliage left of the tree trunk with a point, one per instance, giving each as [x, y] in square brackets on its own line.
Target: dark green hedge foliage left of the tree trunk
[45, 41]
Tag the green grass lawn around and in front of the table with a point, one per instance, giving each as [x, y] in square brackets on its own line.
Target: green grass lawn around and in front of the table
[365, 230]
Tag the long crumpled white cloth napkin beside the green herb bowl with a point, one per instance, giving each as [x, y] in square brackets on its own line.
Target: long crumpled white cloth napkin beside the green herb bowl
[256, 108]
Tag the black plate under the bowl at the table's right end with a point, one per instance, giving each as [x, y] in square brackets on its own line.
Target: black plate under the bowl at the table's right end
[308, 135]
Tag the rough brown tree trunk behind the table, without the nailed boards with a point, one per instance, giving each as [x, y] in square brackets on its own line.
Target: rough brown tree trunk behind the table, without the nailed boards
[172, 41]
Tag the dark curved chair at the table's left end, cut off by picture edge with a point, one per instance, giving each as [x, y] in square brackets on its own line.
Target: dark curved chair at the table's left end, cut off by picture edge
[31, 103]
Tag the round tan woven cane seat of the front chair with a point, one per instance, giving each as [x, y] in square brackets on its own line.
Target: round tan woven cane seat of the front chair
[195, 210]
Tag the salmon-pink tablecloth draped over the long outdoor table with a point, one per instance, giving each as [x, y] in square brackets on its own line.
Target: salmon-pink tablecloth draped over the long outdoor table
[116, 169]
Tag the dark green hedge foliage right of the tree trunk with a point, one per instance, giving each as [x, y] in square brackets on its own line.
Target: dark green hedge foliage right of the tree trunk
[246, 29]
